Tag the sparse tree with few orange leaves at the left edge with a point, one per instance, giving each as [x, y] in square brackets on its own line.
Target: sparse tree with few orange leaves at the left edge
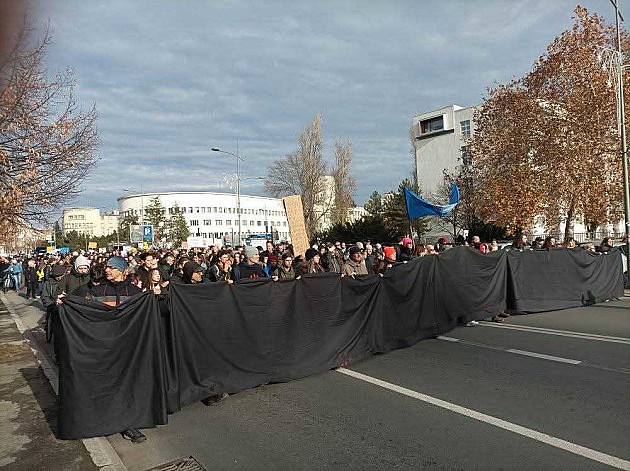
[47, 144]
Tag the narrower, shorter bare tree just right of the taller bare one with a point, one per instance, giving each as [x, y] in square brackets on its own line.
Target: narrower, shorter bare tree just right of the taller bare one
[345, 183]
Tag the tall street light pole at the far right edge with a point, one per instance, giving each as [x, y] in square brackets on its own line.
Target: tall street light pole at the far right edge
[624, 148]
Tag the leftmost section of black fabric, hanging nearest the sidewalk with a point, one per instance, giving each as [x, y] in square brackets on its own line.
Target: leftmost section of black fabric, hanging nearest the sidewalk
[112, 367]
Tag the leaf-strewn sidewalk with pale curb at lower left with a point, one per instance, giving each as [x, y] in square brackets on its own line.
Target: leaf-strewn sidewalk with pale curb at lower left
[28, 401]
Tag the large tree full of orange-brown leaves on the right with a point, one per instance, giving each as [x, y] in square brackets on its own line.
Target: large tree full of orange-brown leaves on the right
[548, 144]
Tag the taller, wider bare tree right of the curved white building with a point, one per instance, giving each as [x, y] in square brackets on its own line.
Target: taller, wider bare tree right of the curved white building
[302, 173]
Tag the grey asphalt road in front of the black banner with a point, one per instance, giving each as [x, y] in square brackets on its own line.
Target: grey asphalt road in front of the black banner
[503, 408]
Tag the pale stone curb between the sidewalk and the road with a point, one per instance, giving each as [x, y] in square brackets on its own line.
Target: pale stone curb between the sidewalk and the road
[101, 451]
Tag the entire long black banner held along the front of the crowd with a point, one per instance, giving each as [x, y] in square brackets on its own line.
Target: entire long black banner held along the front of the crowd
[130, 366]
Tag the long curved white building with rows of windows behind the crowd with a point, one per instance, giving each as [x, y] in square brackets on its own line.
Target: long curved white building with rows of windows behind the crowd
[213, 216]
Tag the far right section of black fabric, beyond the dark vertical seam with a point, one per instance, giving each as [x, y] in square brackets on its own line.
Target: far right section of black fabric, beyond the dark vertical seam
[547, 280]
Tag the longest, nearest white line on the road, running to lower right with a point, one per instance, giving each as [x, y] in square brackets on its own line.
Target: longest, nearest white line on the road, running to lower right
[589, 453]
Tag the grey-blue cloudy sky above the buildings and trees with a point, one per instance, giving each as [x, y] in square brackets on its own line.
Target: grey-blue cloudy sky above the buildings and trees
[171, 79]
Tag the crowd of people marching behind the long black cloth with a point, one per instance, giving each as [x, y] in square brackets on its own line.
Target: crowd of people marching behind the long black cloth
[113, 277]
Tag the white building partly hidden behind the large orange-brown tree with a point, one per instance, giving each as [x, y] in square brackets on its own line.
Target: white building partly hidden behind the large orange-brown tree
[439, 141]
